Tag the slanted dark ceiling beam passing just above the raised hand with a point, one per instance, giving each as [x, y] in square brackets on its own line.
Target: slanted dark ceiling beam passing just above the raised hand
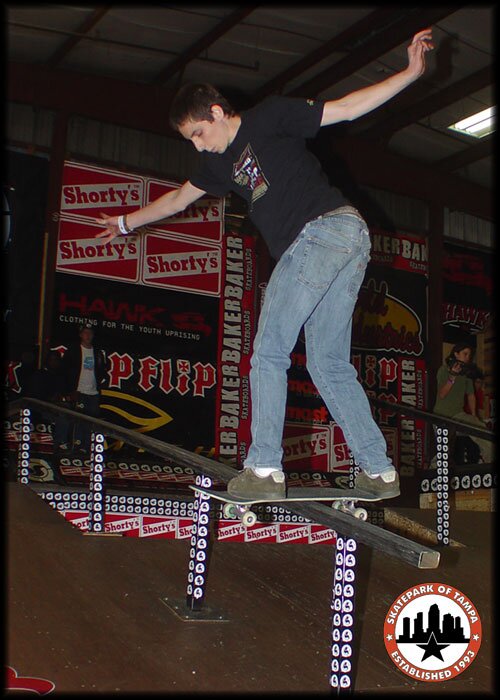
[374, 47]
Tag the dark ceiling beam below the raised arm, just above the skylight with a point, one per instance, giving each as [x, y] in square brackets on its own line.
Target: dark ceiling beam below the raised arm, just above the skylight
[431, 104]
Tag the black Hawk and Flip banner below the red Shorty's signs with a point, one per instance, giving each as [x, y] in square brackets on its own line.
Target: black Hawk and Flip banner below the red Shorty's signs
[161, 353]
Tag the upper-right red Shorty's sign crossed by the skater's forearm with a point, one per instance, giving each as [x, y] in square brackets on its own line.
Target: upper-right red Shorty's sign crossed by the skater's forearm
[207, 211]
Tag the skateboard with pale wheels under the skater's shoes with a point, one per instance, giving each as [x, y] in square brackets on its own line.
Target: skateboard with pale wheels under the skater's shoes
[342, 499]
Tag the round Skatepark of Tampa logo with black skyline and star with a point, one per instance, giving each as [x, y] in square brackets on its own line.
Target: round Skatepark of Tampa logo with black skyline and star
[432, 632]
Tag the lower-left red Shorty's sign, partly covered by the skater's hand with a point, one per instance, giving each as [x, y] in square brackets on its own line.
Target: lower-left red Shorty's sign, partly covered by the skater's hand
[80, 252]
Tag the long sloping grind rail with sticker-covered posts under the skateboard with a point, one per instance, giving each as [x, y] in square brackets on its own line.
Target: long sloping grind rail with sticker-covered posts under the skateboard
[349, 531]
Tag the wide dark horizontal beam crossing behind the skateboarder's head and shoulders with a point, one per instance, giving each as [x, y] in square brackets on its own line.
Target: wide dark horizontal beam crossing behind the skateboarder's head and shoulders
[143, 107]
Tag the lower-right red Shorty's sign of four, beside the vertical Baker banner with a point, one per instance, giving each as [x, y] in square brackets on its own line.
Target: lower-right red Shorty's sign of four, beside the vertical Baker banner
[179, 264]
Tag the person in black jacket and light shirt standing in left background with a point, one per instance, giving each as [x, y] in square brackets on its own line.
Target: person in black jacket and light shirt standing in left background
[84, 369]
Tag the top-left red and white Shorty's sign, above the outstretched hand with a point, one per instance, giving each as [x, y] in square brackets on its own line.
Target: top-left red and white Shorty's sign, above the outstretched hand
[89, 190]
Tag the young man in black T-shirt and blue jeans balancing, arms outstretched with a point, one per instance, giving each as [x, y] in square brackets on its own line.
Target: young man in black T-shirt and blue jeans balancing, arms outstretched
[321, 245]
